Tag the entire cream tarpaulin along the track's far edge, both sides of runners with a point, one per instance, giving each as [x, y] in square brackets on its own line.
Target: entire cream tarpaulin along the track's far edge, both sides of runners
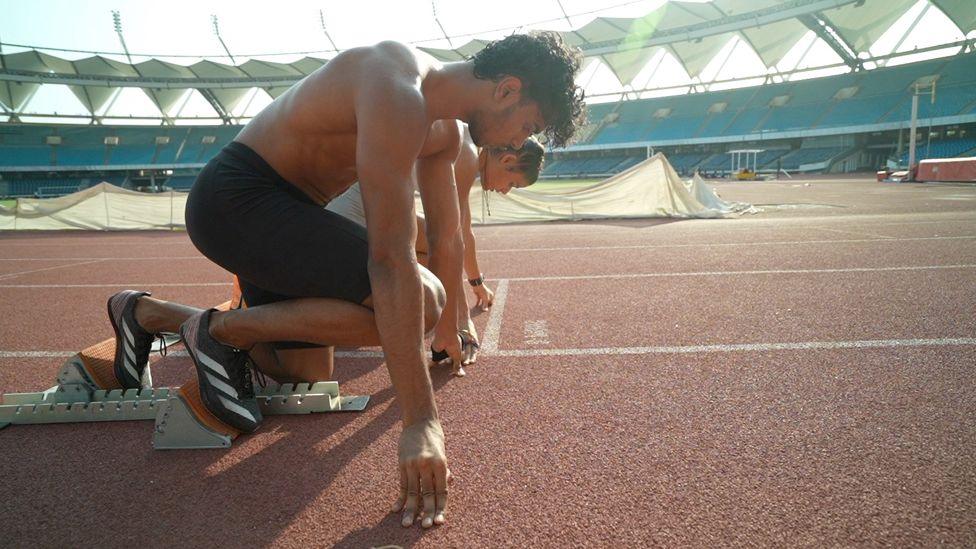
[649, 189]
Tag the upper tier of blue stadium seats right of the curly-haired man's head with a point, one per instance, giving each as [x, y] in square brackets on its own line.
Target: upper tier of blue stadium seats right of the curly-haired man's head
[880, 95]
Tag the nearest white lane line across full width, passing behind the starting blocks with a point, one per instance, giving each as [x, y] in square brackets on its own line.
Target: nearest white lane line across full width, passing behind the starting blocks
[667, 349]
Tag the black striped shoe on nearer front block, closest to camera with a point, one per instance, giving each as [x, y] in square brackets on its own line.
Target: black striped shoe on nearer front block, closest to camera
[226, 390]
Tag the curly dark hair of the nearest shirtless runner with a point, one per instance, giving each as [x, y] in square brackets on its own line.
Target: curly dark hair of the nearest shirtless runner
[547, 68]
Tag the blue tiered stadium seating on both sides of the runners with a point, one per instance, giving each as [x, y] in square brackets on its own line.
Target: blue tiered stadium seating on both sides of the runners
[706, 122]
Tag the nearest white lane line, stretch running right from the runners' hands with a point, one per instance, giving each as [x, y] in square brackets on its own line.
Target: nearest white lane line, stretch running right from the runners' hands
[732, 348]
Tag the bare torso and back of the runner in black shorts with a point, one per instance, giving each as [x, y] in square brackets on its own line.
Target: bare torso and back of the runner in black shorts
[308, 134]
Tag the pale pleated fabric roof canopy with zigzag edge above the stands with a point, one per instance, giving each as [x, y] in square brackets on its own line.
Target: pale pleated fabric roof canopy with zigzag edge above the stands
[694, 33]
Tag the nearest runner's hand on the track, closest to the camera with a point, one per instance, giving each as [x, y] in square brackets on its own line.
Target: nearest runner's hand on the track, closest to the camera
[424, 474]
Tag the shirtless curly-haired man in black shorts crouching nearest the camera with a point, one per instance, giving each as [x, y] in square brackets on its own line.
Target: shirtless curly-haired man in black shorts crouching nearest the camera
[256, 210]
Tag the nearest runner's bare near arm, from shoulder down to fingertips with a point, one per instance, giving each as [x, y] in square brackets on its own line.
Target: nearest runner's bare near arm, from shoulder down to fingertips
[391, 125]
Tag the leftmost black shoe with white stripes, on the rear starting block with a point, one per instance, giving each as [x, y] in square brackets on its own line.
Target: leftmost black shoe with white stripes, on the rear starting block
[132, 341]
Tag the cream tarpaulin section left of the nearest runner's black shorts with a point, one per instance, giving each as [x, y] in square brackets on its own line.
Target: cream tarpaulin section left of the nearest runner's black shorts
[101, 207]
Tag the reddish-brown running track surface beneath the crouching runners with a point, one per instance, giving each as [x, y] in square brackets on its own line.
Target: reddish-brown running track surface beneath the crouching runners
[798, 377]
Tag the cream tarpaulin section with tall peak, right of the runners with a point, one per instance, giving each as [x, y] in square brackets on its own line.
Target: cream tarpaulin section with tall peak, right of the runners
[649, 189]
